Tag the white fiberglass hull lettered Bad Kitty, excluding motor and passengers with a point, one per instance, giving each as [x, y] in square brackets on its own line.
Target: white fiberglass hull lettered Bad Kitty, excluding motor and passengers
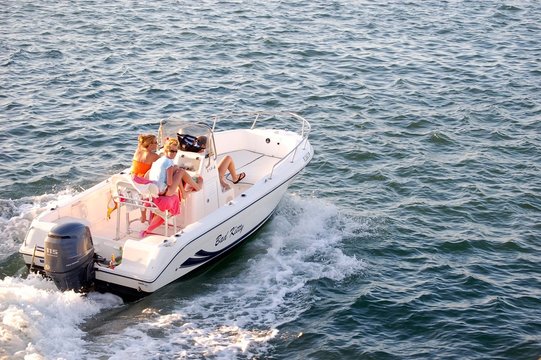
[212, 222]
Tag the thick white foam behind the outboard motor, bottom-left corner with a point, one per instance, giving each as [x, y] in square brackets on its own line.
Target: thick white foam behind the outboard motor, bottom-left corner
[39, 322]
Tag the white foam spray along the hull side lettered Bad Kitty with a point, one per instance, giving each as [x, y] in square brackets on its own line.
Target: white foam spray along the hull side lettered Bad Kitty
[242, 313]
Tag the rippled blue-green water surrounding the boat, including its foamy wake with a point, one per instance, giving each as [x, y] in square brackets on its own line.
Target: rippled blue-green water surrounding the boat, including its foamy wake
[413, 234]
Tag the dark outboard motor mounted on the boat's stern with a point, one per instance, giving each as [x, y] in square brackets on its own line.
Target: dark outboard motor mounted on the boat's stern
[69, 256]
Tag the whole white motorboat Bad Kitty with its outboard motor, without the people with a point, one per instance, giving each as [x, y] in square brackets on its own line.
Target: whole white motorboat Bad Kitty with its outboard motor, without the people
[80, 246]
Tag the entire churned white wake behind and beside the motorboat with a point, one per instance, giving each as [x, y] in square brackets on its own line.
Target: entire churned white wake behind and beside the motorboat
[240, 309]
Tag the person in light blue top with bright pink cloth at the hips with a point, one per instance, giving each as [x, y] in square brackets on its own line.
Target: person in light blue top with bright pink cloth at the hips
[170, 179]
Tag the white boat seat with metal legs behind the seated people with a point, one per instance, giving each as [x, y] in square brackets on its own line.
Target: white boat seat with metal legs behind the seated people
[132, 195]
